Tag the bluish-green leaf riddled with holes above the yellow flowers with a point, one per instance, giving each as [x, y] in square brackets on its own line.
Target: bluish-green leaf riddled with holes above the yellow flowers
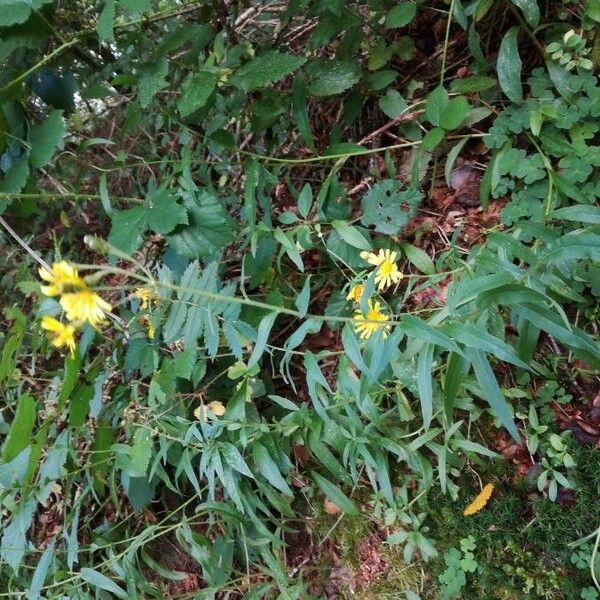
[389, 208]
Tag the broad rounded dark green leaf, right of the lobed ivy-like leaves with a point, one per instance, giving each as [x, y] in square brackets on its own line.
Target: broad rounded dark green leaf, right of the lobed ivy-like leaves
[210, 227]
